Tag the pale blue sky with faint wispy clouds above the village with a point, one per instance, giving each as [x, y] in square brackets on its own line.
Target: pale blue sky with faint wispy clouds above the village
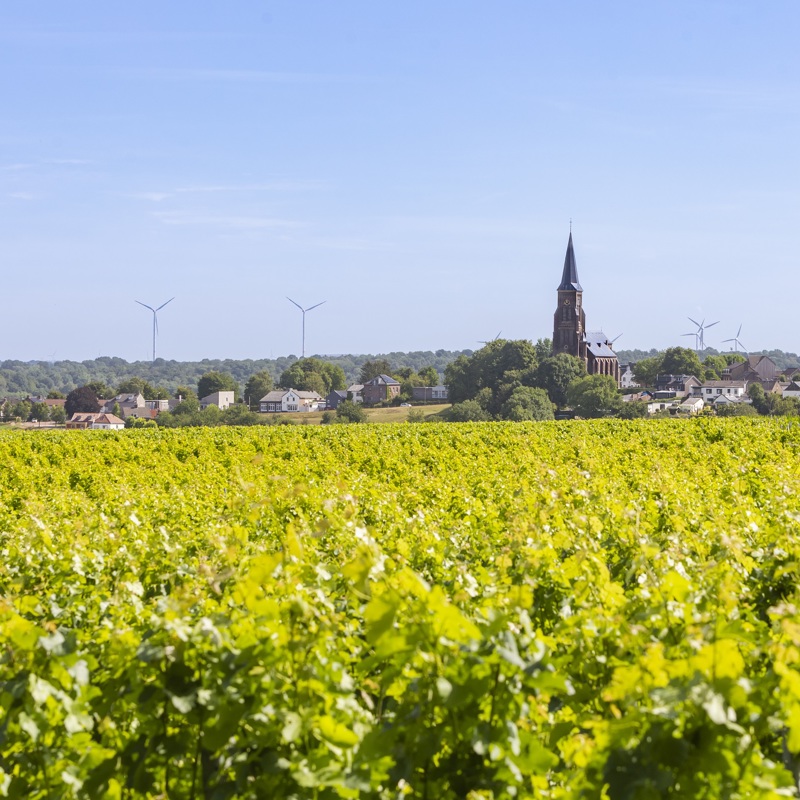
[414, 165]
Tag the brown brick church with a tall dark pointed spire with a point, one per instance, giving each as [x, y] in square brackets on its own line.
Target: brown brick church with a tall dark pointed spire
[569, 325]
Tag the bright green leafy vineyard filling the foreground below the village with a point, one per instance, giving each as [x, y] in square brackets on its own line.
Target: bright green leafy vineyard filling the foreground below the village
[557, 610]
